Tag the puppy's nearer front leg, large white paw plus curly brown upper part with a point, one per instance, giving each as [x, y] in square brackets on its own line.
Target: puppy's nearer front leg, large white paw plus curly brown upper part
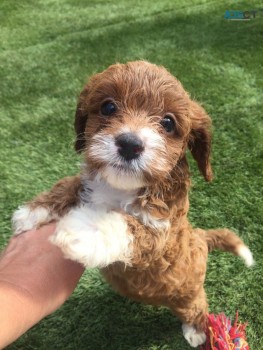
[97, 238]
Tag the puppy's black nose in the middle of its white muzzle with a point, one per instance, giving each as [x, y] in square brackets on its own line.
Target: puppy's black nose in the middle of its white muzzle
[129, 146]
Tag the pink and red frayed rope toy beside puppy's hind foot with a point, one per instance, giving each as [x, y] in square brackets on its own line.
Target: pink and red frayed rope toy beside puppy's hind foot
[222, 335]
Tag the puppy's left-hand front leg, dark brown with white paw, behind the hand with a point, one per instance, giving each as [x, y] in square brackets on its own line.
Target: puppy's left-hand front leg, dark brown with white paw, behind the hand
[48, 206]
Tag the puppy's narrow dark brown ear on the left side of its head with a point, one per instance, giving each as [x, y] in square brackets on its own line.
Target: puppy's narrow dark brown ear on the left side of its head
[81, 117]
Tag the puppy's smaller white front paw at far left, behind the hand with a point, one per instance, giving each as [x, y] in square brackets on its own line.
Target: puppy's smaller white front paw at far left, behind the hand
[25, 219]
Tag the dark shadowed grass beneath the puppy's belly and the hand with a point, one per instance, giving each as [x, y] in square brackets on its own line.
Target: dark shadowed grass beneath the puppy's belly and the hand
[100, 319]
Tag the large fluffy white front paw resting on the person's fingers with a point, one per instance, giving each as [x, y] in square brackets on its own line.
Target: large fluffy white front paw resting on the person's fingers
[94, 238]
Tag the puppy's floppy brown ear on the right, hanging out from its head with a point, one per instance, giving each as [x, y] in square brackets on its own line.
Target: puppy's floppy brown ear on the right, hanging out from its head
[200, 139]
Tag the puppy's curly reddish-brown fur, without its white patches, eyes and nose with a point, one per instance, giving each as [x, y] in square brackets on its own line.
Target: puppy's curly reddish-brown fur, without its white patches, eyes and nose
[168, 265]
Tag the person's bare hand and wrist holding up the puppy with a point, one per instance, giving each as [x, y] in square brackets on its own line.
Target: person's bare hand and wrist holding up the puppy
[35, 280]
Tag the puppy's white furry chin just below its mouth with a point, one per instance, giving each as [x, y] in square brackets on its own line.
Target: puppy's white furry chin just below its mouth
[122, 179]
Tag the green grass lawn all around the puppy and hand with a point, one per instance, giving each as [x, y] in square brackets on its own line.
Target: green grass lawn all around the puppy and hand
[48, 50]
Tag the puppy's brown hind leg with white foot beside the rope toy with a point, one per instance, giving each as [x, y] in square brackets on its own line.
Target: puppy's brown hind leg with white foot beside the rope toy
[193, 314]
